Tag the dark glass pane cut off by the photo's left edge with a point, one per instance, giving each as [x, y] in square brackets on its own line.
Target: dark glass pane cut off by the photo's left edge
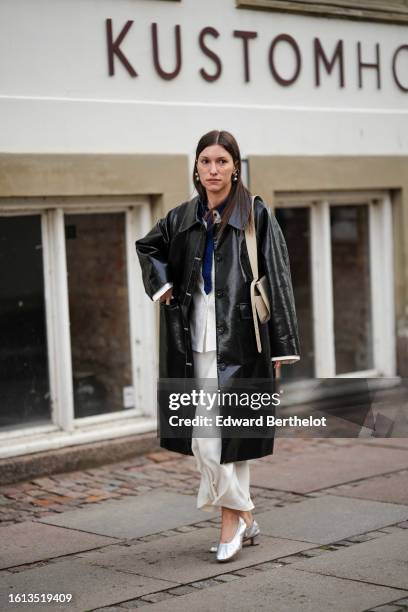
[24, 382]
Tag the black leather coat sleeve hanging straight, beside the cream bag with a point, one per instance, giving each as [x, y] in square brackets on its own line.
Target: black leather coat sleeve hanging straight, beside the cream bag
[283, 327]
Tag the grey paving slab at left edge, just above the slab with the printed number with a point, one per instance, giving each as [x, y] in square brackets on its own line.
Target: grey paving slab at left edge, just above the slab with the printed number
[31, 541]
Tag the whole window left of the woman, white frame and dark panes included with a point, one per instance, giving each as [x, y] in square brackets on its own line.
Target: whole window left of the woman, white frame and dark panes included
[76, 328]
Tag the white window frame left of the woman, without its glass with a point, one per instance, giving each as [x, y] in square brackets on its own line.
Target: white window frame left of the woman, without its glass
[64, 429]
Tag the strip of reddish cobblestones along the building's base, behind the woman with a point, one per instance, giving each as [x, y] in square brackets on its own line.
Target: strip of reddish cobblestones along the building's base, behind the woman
[58, 493]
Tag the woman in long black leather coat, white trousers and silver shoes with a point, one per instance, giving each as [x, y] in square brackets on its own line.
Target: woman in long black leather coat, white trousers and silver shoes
[195, 261]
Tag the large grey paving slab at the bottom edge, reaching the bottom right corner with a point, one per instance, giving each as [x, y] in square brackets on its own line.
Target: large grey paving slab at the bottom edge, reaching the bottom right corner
[285, 590]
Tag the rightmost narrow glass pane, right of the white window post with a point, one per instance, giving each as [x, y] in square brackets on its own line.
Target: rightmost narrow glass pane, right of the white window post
[351, 288]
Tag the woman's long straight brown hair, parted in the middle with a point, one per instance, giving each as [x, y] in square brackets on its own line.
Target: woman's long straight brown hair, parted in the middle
[239, 195]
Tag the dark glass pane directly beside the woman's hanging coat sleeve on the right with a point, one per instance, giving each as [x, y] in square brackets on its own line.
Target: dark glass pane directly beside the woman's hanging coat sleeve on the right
[295, 224]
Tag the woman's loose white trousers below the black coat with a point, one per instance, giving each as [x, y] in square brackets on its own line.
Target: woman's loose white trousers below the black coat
[225, 484]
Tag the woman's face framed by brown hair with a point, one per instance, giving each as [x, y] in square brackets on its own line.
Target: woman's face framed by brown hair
[215, 167]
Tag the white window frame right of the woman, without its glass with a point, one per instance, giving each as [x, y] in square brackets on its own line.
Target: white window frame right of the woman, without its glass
[381, 282]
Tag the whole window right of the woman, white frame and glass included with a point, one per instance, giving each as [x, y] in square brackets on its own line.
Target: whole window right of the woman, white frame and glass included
[340, 250]
